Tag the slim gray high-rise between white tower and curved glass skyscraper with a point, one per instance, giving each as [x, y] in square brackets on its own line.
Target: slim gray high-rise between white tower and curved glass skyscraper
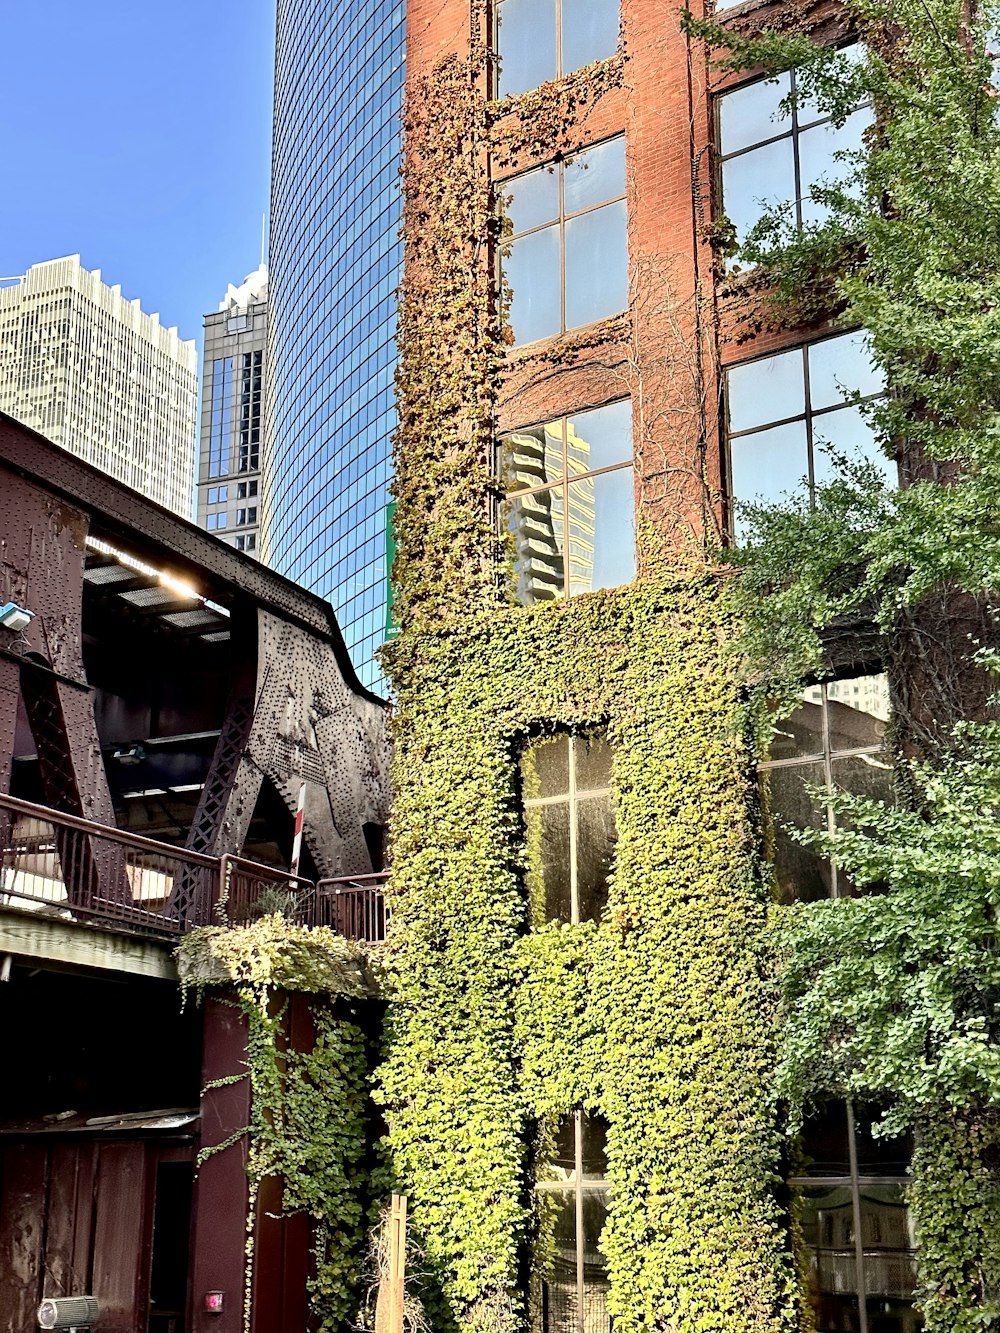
[234, 375]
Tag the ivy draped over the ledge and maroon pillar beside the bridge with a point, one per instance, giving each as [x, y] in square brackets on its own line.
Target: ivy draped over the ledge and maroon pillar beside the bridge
[309, 1107]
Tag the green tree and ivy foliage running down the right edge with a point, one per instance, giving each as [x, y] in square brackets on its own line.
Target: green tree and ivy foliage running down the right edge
[895, 995]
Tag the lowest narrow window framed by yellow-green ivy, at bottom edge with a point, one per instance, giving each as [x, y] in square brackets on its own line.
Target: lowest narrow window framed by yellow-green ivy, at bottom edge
[574, 1296]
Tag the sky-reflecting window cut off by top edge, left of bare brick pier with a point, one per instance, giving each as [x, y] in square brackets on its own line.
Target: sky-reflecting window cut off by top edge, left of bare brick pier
[538, 41]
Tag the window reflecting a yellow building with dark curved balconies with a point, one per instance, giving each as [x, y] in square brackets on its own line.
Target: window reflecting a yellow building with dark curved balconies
[570, 503]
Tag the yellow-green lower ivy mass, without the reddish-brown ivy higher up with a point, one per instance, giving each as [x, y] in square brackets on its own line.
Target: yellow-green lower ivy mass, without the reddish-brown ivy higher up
[661, 1016]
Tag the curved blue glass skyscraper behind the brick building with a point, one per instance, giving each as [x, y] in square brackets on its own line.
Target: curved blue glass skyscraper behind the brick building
[335, 266]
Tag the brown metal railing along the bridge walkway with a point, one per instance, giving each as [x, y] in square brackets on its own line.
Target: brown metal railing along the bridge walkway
[77, 870]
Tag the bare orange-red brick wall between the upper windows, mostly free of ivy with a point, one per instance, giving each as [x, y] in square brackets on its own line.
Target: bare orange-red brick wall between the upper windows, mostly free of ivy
[669, 350]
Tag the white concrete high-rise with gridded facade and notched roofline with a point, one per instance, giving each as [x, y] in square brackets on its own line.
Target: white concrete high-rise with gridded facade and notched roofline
[95, 375]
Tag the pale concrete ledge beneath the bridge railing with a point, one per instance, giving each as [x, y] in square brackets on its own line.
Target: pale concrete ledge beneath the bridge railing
[49, 939]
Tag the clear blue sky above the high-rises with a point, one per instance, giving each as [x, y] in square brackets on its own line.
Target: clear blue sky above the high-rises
[137, 134]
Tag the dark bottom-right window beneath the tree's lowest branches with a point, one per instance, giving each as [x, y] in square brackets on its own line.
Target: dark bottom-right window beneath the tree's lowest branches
[857, 1227]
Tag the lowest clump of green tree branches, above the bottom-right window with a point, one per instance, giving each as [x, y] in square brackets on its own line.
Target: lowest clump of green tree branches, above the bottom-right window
[895, 995]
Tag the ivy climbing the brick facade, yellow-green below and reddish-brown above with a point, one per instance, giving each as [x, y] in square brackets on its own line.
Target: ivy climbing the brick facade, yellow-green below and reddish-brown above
[661, 1018]
